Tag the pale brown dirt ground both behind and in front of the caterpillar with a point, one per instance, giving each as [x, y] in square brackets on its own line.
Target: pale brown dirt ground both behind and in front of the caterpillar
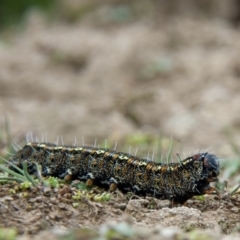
[100, 79]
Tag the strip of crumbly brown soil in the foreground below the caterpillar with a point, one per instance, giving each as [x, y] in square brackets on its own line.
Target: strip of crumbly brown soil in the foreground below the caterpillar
[53, 211]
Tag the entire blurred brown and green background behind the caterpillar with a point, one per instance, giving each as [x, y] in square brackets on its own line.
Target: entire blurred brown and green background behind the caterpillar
[131, 72]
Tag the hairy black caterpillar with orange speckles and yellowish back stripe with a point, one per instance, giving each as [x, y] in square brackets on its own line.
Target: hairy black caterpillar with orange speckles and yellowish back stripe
[176, 182]
